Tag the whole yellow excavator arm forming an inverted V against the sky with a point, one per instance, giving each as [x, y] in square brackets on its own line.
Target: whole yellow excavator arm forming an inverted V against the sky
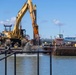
[27, 6]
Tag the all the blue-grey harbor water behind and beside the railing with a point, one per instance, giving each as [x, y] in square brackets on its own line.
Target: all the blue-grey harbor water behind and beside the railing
[27, 65]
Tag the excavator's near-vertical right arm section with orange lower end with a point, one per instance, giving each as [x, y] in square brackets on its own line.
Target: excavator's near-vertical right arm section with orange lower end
[32, 10]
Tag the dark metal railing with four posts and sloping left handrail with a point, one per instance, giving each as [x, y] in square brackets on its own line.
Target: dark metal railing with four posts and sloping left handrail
[8, 53]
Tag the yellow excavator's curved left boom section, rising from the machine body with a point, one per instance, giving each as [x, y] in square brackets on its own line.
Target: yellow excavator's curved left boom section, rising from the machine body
[21, 13]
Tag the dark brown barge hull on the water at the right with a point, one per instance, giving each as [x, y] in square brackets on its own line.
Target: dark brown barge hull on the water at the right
[65, 51]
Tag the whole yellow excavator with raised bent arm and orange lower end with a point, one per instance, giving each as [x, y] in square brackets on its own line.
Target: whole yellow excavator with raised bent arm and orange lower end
[16, 35]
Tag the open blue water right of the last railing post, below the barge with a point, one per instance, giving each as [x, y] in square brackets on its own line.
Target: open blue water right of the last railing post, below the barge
[64, 65]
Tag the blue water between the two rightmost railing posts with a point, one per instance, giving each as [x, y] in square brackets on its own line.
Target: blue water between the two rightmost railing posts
[45, 65]
